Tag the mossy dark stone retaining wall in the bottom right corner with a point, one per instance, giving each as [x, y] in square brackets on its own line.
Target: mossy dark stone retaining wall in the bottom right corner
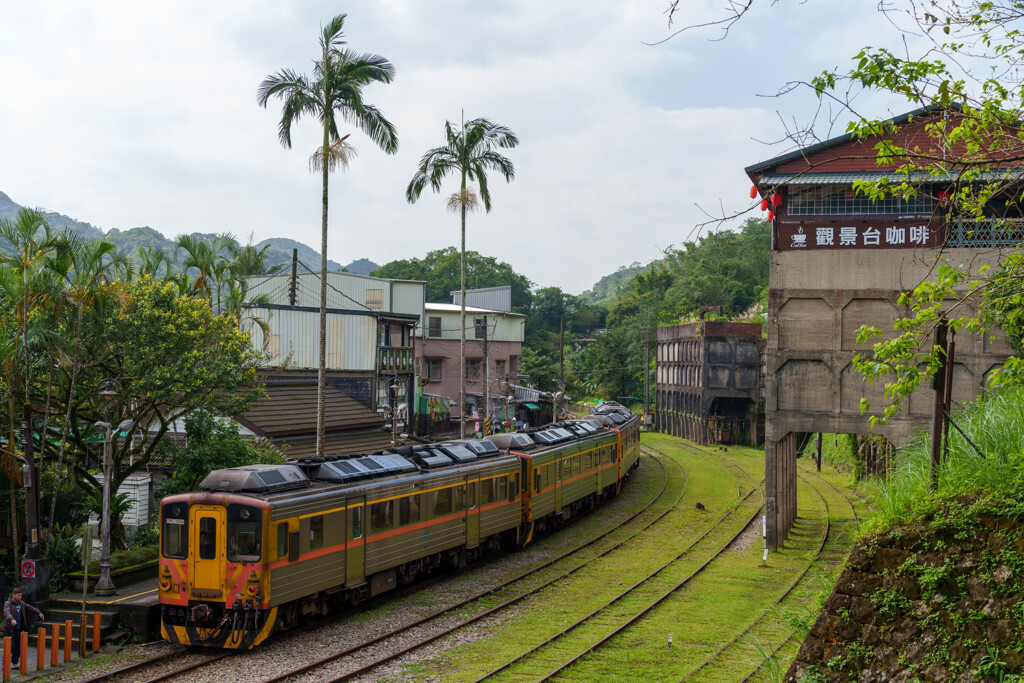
[944, 602]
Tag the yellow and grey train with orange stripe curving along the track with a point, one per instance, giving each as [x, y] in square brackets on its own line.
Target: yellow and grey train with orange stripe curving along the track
[262, 548]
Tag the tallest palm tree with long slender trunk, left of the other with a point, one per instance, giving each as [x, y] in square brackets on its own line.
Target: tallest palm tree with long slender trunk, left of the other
[335, 89]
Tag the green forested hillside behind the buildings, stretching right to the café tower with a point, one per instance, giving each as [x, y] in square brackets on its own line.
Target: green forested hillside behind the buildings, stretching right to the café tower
[607, 329]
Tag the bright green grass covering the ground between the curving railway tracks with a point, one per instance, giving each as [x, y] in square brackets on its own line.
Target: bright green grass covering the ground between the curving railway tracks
[719, 604]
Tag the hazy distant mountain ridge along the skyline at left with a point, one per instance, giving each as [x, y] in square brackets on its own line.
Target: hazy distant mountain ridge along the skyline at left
[137, 238]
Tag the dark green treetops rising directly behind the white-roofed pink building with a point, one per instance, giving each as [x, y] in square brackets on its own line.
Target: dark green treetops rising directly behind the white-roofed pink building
[440, 270]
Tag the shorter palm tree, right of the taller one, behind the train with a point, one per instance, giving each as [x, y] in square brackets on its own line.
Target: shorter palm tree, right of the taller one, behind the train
[470, 153]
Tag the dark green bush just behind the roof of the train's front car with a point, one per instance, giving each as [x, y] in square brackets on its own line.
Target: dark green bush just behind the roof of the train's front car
[214, 444]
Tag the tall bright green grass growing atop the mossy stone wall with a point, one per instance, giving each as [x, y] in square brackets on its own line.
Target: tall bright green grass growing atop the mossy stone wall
[996, 425]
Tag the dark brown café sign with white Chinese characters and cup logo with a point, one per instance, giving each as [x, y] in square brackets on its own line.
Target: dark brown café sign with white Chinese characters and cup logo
[914, 235]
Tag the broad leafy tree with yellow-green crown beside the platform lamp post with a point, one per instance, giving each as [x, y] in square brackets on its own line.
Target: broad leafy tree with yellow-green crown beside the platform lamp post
[173, 358]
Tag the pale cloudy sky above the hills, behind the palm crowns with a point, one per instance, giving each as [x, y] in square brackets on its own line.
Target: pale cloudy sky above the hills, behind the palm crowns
[127, 114]
